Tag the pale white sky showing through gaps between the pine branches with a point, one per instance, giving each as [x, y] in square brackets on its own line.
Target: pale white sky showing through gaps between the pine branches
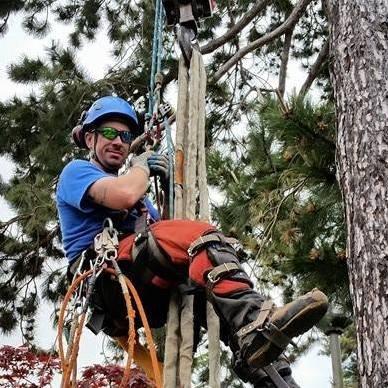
[311, 371]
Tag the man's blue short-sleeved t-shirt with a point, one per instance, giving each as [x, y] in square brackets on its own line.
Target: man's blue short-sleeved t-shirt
[80, 218]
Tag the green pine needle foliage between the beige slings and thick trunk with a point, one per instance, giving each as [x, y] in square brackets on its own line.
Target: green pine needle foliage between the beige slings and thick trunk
[283, 199]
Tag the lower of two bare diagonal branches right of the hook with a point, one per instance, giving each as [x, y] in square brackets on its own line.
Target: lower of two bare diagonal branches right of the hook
[288, 24]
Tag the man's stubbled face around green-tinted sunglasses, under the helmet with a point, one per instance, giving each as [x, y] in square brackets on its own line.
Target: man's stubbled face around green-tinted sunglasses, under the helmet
[110, 153]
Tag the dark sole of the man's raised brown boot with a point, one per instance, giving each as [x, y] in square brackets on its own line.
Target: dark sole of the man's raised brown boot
[299, 324]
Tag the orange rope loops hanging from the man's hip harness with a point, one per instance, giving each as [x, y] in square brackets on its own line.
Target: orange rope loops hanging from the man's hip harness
[68, 362]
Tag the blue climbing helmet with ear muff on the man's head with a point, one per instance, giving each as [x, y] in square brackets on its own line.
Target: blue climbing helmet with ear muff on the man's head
[103, 109]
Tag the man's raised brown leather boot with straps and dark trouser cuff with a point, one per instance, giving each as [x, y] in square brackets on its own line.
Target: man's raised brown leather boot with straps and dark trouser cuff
[259, 331]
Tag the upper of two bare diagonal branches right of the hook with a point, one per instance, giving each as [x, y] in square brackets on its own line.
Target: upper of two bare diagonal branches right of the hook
[238, 27]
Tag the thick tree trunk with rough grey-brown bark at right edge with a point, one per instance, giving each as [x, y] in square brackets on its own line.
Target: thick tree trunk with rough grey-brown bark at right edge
[359, 73]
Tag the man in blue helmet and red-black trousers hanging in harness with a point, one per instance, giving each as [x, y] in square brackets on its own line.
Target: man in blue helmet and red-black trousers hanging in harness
[168, 252]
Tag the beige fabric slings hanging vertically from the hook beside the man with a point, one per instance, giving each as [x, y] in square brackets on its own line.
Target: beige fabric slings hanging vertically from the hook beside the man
[190, 187]
